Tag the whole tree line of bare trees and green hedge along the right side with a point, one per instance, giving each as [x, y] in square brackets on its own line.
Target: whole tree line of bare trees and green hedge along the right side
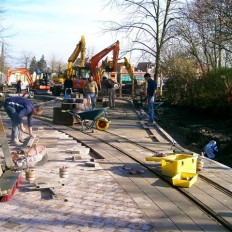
[187, 41]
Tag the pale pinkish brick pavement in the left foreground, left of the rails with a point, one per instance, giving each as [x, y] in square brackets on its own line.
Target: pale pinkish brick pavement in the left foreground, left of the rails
[90, 200]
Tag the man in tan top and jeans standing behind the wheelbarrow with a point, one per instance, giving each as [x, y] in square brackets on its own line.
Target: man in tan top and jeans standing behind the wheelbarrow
[91, 91]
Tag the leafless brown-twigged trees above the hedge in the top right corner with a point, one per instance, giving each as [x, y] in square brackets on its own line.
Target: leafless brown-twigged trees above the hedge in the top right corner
[205, 32]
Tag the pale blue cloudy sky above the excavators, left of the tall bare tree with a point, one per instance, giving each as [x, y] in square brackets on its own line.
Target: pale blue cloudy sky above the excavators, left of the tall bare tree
[53, 27]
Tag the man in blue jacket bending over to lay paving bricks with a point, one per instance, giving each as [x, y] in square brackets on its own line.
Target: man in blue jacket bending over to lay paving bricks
[17, 108]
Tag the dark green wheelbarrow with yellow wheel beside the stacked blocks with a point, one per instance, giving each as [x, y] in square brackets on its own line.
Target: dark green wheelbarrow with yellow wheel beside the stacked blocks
[92, 117]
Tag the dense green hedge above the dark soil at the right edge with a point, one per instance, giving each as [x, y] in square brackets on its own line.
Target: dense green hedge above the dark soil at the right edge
[208, 92]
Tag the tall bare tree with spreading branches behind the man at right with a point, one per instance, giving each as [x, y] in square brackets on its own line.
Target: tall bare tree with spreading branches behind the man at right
[147, 25]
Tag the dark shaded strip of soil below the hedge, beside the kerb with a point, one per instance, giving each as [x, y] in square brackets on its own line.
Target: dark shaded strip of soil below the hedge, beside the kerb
[194, 130]
